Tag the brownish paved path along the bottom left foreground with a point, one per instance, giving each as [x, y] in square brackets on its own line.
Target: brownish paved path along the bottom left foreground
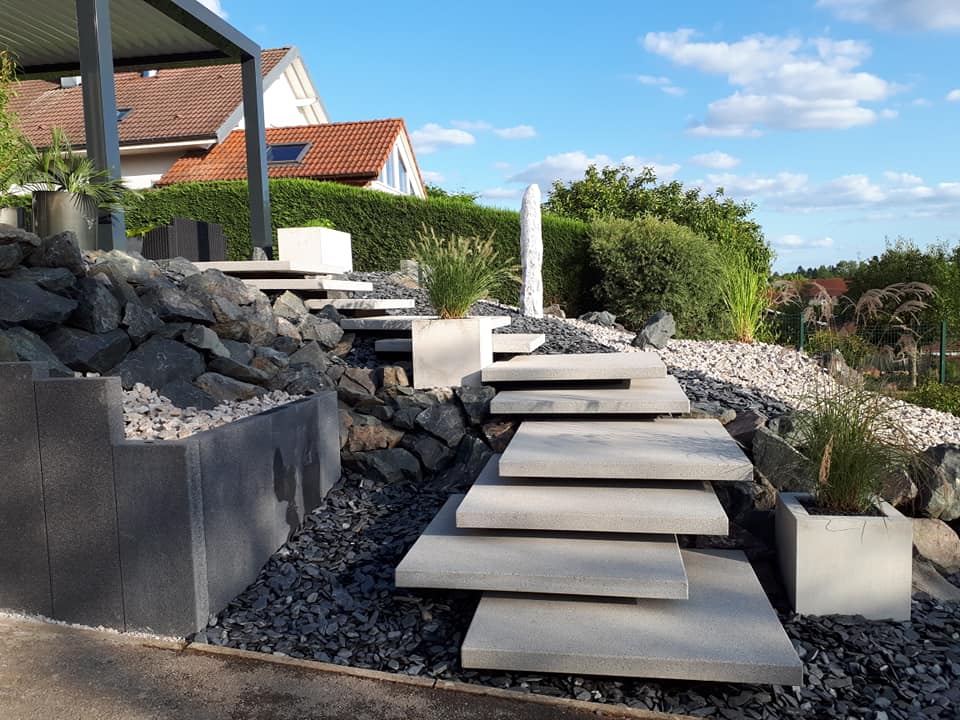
[52, 672]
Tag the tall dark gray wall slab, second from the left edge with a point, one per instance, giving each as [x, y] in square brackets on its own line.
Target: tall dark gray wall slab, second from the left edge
[80, 419]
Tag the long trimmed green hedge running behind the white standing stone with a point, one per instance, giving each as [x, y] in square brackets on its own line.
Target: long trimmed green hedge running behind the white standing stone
[382, 225]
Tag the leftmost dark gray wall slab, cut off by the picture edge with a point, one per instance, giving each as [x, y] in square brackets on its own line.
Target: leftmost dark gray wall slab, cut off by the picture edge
[24, 564]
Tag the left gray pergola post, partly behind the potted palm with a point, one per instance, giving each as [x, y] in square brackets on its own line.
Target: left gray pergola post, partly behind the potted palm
[100, 107]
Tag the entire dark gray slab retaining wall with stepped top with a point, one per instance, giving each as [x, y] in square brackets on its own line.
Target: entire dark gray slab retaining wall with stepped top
[156, 536]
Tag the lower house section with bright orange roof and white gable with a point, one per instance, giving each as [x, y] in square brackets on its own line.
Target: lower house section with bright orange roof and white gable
[376, 154]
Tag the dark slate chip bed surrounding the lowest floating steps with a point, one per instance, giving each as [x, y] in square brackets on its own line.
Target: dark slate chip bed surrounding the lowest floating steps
[328, 595]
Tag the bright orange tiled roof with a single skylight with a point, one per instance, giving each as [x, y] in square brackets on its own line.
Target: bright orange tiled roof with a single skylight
[348, 151]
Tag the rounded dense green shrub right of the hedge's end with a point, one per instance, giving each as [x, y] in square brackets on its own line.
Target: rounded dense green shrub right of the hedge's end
[649, 264]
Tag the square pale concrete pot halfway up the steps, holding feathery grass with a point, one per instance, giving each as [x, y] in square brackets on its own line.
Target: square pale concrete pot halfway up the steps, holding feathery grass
[450, 353]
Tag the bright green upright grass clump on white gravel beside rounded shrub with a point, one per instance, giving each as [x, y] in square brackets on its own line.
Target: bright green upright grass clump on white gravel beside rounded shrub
[743, 296]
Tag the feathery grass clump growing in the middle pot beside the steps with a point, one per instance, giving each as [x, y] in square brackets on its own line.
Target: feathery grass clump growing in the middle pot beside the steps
[460, 270]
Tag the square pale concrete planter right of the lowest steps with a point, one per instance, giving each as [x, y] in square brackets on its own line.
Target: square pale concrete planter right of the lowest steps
[845, 565]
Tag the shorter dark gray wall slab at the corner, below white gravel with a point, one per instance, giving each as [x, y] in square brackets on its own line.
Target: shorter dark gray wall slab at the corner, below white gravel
[162, 544]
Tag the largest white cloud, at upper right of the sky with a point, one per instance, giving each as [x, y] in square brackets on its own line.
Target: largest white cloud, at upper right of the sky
[785, 83]
